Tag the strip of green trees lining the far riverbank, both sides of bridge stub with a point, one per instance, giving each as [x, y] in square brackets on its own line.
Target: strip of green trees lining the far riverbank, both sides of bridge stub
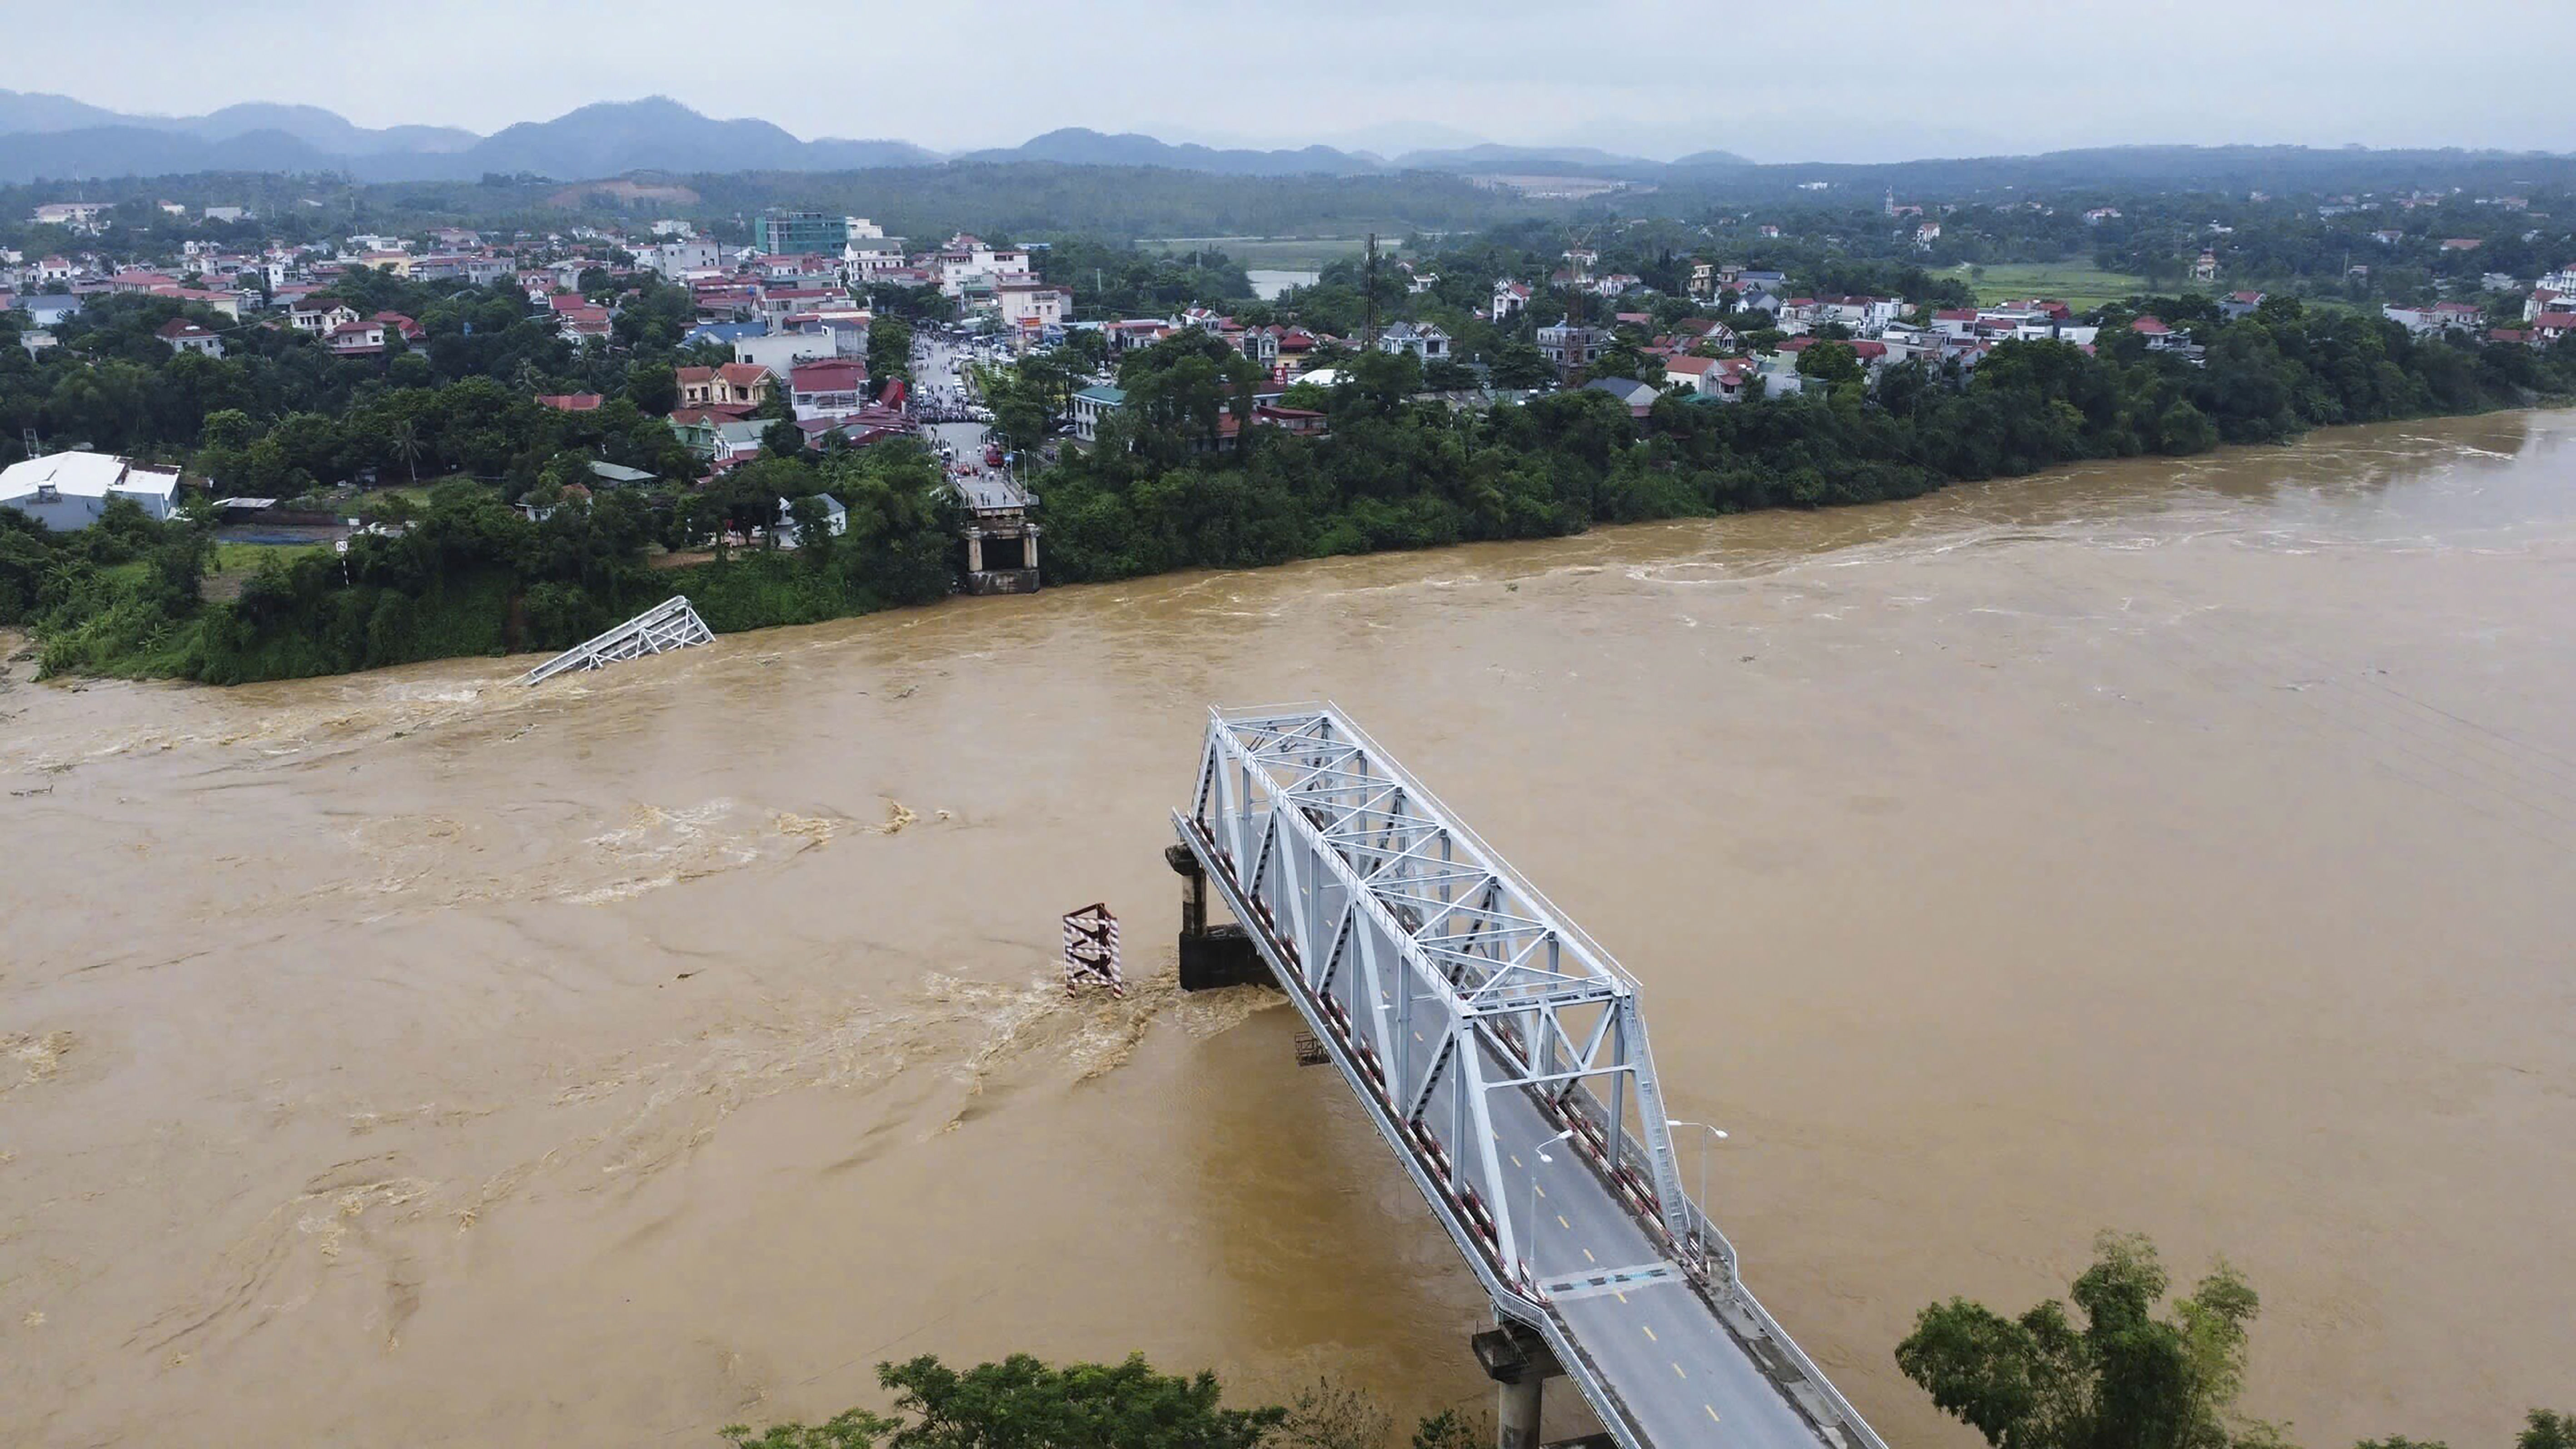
[1168, 488]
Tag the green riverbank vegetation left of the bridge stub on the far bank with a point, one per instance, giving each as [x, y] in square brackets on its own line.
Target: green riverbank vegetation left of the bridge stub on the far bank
[473, 575]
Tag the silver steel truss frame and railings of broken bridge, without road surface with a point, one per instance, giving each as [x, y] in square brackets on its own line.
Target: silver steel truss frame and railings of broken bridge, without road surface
[1436, 977]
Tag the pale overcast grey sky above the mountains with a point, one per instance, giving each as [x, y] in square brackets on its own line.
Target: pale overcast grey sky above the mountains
[1799, 81]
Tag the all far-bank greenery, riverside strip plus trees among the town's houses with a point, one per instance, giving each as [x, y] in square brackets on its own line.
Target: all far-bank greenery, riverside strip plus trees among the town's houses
[491, 526]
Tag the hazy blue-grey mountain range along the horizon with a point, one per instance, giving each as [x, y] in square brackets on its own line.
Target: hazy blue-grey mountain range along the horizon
[71, 140]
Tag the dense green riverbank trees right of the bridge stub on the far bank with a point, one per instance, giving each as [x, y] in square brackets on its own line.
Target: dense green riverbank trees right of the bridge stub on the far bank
[1184, 480]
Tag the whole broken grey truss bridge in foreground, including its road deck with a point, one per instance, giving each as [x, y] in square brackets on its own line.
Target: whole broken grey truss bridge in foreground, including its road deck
[1503, 1057]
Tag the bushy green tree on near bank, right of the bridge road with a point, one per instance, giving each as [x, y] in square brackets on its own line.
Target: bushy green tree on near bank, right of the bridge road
[2119, 1381]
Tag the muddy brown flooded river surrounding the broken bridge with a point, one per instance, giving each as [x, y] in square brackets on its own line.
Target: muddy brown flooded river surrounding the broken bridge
[2186, 848]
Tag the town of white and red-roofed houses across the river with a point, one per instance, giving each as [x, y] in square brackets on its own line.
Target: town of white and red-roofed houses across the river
[782, 328]
